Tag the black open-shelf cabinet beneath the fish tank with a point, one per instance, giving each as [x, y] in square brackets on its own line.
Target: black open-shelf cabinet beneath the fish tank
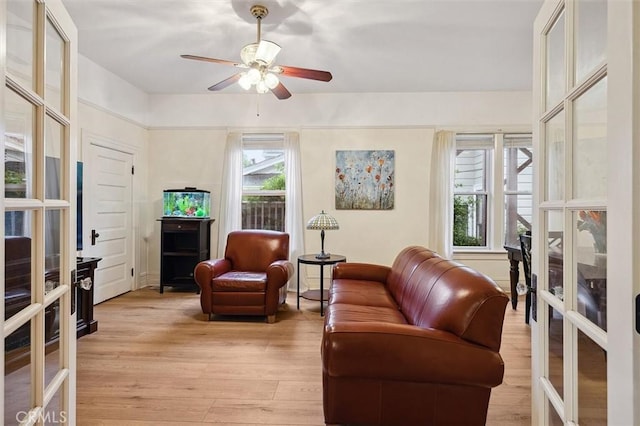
[184, 243]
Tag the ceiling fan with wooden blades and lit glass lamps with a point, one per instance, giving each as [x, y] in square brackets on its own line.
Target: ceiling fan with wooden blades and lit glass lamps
[260, 71]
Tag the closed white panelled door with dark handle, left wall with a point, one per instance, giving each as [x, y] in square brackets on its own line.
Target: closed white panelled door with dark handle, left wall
[108, 233]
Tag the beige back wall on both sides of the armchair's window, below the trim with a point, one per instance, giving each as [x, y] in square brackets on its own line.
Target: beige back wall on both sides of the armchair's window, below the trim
[180, 158]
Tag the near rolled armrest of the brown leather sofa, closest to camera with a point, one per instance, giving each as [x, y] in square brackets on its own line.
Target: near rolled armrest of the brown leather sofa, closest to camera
[383, 351]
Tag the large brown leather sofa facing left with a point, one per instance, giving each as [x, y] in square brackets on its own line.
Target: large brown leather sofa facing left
[416, 343]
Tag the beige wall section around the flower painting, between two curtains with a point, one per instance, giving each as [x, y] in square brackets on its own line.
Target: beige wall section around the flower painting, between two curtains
[368, 235]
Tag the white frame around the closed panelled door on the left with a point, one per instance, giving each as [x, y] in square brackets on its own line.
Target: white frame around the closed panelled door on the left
[89, 138]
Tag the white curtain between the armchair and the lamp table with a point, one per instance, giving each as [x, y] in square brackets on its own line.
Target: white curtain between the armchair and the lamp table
[294, 221]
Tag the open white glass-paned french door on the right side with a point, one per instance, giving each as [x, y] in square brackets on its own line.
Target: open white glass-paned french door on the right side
[584, 343]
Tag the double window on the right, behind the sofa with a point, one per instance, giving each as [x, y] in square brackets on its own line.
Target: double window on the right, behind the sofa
[492, 193]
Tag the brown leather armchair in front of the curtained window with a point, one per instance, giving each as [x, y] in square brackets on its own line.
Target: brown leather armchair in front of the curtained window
[251, 278]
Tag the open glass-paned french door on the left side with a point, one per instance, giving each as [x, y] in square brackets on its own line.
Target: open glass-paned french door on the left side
[38, 113]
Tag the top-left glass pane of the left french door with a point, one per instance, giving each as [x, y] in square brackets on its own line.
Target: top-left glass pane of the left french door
[20, 41]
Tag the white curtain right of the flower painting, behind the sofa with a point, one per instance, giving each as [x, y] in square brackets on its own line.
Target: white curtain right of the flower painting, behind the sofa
[441, 195]
